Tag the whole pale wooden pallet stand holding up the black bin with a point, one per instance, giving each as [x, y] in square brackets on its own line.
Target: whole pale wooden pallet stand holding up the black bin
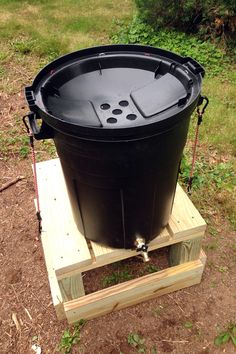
[68, 254]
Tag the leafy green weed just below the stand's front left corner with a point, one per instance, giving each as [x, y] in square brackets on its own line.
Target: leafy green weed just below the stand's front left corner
[70, 337]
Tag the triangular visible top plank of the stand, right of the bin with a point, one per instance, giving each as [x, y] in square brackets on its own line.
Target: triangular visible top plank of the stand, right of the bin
[185, 218]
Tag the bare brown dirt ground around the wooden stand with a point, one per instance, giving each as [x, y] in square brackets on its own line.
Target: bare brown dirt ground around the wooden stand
[24, 291]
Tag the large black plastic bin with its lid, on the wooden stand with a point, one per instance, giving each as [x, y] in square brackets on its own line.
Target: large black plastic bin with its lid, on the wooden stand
[119, 117]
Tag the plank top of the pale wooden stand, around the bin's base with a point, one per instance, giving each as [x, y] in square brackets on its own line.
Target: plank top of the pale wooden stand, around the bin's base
[70, 250]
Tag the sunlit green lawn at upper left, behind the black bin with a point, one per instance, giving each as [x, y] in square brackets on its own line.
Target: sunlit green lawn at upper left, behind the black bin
[56, 27]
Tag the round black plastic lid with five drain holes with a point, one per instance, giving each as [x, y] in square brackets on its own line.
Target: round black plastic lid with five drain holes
[115, 88]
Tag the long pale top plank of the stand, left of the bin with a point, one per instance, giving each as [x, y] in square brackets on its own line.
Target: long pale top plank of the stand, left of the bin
[69, 248]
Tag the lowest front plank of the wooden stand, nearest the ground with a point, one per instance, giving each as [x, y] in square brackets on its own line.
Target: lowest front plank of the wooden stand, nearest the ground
[134, 291]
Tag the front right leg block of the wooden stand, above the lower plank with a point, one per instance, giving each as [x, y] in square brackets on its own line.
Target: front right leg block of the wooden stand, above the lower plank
[185, 251]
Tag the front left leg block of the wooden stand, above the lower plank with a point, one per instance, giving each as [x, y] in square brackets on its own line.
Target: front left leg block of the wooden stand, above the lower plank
[72, 287]
